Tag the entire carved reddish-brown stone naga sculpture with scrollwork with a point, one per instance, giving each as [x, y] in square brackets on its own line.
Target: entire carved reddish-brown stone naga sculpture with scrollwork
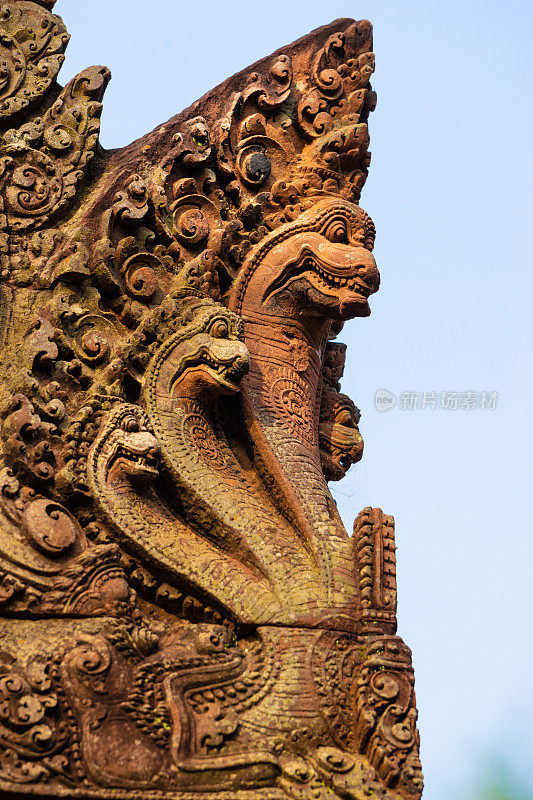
[182, 609]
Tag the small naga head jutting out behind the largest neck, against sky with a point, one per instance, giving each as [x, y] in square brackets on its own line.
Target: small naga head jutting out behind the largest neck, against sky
[340, 441]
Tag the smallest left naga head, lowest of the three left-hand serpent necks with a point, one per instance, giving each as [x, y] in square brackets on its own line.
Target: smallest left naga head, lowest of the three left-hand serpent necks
[131, 447]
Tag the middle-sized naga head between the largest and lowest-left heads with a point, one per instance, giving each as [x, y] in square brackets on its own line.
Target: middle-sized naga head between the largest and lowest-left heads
[206, 357]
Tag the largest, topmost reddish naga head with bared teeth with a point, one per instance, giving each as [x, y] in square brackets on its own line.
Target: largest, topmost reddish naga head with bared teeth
[319, 266]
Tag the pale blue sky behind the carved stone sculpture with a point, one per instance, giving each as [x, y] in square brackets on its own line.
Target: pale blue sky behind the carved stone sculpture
[449, 191]
